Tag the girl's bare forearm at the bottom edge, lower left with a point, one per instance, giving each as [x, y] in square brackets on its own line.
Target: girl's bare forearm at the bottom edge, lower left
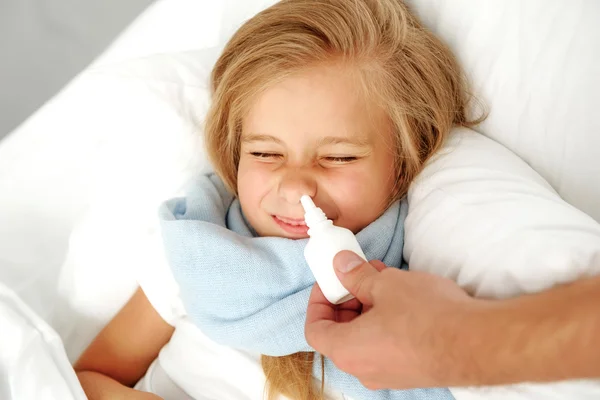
[97, 387]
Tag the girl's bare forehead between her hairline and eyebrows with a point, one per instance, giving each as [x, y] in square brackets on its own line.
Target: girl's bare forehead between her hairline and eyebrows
[321, 101]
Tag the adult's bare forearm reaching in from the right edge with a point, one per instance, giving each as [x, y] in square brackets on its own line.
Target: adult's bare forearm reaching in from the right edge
[550, 336]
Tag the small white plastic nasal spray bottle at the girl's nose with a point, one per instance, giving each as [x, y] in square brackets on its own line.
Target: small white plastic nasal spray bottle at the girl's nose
[326, 240]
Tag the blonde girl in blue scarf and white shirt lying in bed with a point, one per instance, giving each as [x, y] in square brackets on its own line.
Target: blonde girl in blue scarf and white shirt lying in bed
[341, 100]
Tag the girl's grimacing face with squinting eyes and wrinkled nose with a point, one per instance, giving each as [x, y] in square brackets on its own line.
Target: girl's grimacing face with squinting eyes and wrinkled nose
[314, 134]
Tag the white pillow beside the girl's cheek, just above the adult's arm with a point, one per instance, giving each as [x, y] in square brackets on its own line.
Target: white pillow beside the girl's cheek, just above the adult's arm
[481, 216]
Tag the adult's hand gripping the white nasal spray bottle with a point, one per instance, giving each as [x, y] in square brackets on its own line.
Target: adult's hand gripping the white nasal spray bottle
[389, 336]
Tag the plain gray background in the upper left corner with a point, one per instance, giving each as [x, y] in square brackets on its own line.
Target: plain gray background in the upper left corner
[45, 43]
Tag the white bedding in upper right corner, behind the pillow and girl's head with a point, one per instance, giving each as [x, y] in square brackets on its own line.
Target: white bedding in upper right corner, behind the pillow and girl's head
[536, 64]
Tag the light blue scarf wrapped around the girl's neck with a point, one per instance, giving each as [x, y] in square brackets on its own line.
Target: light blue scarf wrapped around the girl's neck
[251, 292]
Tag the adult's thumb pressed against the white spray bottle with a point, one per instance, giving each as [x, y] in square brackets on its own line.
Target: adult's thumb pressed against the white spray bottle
[356, 275]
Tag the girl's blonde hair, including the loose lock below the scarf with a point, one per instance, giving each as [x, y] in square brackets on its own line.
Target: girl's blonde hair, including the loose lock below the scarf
[402, 67]
